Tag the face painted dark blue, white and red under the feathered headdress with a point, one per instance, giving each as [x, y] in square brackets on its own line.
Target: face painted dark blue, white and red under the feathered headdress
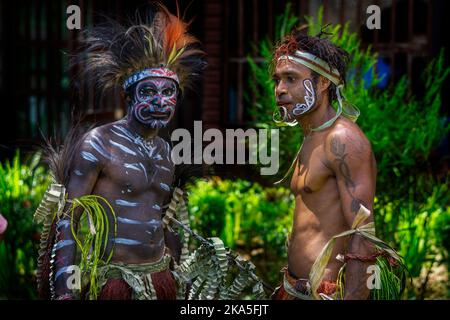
[154, 101]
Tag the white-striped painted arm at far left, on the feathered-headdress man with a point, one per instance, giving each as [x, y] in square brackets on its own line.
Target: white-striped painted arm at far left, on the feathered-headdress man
[84, 172]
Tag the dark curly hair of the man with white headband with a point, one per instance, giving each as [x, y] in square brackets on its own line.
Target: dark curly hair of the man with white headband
[317, 45]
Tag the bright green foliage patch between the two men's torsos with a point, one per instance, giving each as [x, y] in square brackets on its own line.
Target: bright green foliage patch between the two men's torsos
[249, 218]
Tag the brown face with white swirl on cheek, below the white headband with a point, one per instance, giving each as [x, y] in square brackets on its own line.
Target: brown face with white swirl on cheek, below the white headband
[294, 89]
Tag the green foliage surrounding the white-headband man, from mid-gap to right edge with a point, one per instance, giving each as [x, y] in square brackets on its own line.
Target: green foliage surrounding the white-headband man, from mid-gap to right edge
[412, 205]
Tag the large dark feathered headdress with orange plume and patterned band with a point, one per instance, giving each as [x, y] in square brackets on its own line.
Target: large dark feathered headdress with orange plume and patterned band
[157, 46]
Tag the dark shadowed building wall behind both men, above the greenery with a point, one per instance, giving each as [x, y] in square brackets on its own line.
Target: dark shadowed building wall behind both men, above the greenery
[35, 90]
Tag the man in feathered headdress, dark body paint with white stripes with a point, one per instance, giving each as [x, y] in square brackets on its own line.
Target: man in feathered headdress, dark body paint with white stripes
[124, 166]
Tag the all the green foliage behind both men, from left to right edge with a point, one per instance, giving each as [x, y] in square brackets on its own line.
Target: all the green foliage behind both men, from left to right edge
[411, 208]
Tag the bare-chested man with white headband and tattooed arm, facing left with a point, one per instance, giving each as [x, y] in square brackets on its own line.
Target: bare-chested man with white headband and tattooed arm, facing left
[334, 172]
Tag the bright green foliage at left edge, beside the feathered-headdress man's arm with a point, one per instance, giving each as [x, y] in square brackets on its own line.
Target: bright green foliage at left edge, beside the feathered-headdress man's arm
[22, 186]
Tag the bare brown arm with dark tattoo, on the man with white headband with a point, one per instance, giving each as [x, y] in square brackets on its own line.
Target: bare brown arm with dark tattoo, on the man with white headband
[349, 155]
